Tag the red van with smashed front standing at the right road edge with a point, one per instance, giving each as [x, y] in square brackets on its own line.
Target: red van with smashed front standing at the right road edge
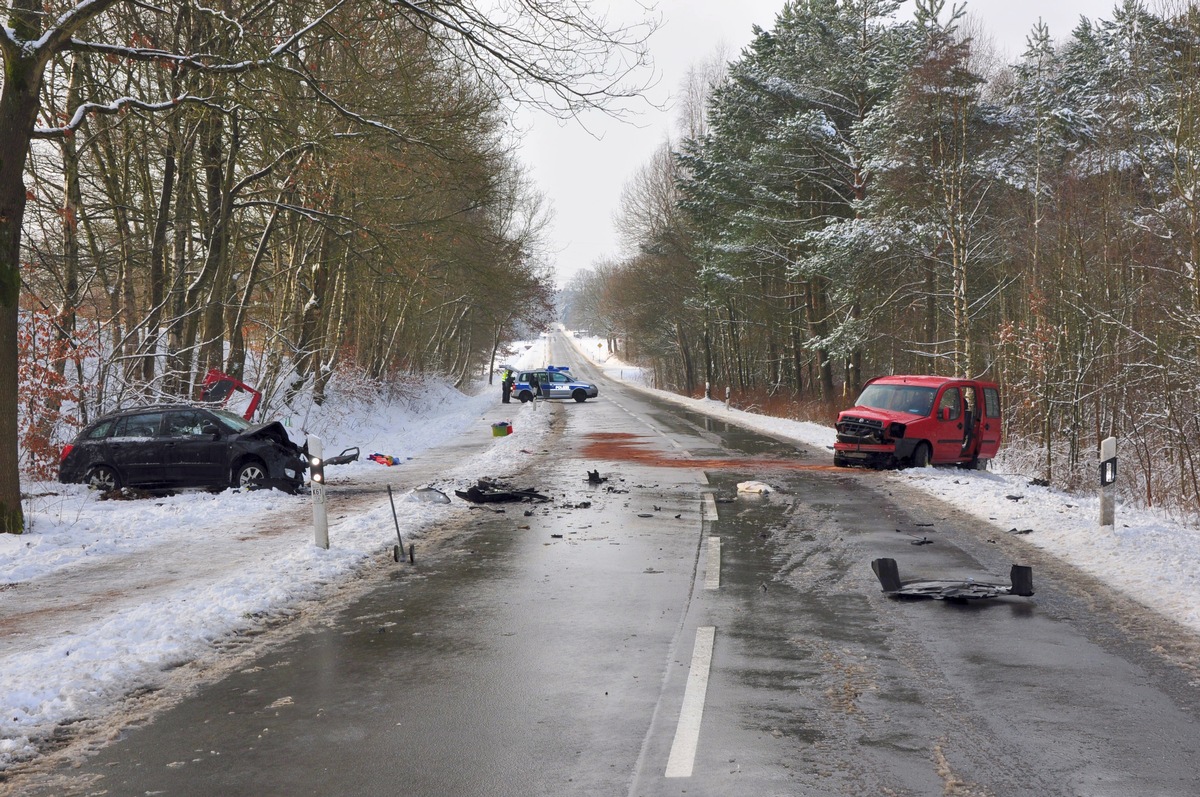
[917, 421]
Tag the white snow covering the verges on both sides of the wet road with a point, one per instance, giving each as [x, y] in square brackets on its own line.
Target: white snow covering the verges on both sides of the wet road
[164, 582]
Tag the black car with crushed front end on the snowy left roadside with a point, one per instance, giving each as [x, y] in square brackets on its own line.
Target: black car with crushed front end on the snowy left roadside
[179, 446]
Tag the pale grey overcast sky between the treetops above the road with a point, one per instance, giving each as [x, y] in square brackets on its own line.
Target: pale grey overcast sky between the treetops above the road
[583, 176]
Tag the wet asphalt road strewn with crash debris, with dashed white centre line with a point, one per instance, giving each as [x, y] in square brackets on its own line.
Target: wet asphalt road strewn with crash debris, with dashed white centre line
[661, 634]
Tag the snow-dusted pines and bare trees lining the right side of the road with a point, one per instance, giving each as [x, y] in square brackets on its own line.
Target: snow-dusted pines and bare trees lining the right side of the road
[859, 196]
